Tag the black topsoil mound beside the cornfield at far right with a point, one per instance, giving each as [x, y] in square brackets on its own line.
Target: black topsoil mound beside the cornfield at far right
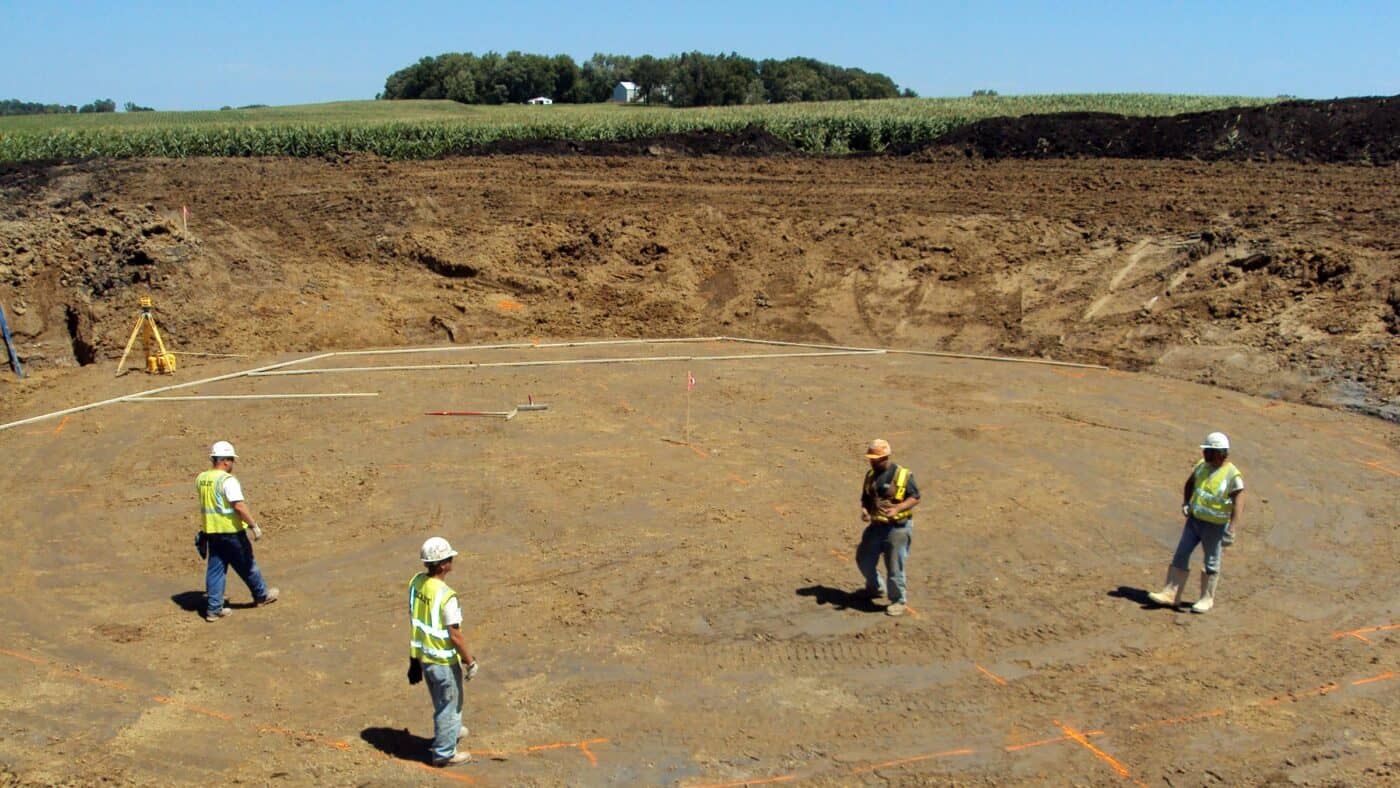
[1356, 131]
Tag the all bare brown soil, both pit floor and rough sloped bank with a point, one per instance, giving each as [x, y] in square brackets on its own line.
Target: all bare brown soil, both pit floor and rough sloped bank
[652, 612]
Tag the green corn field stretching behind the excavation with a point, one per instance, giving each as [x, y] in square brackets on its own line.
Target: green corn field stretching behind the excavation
[428, 129]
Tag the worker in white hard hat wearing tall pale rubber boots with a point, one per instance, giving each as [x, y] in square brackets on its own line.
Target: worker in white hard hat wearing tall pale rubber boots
[1212, 505]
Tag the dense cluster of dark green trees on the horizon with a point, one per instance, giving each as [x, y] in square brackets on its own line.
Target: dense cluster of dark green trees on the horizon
[692, 79]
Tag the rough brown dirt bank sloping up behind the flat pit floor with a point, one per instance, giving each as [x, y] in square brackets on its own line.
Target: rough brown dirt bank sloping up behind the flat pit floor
[1275, 279]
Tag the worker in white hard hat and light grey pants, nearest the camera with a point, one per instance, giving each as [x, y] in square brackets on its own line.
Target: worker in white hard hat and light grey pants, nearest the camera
[439, 650]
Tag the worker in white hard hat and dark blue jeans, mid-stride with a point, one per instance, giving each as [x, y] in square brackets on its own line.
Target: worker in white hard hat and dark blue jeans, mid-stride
[223, 540]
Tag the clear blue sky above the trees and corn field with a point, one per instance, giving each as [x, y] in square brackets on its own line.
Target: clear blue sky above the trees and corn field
[206, 55]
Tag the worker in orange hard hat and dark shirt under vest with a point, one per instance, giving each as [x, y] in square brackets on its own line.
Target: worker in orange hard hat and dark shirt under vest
[888, 499]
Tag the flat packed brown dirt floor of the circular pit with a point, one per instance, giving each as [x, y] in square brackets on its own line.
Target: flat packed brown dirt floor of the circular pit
[650, 612]
